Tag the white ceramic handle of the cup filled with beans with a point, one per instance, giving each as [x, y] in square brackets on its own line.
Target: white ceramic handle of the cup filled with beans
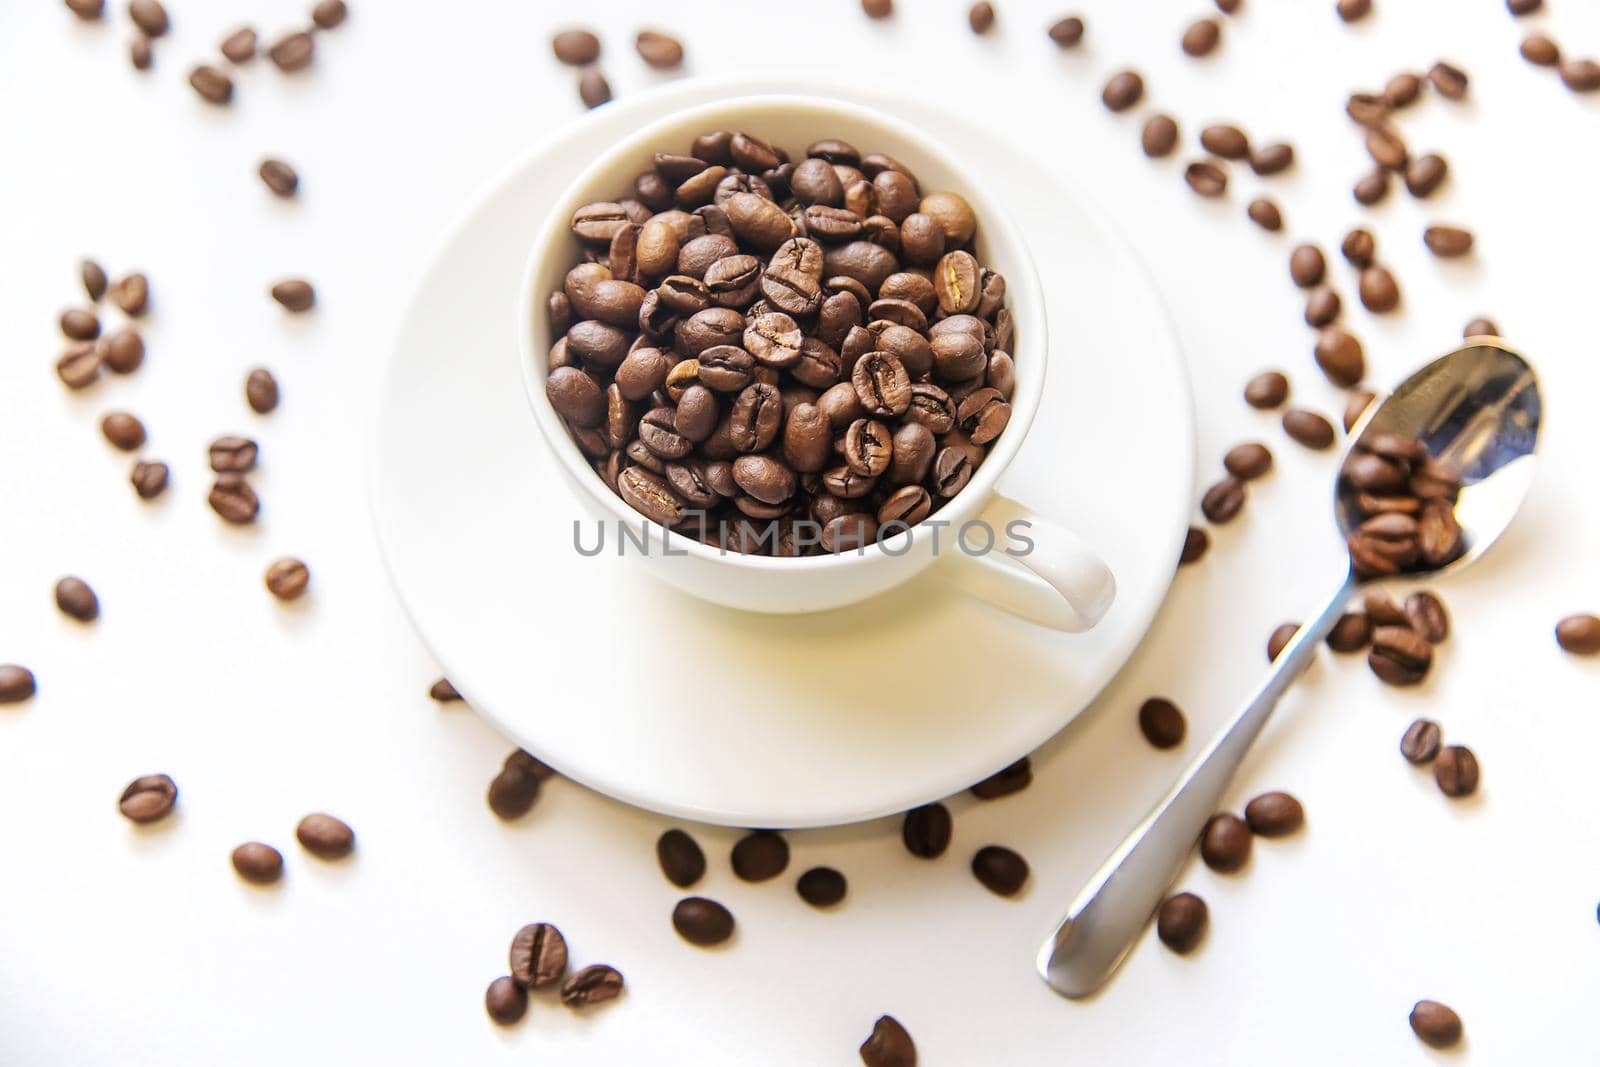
[1058, 583]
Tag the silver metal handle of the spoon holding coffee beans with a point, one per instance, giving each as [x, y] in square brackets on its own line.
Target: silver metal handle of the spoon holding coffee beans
[1114, 908]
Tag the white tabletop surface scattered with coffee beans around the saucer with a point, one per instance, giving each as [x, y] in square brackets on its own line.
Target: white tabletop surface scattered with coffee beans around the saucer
[140, 948]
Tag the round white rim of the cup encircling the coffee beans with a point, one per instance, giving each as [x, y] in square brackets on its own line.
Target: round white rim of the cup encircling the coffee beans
[1023, 290]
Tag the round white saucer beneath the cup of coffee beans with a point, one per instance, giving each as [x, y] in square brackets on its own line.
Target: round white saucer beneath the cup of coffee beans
[668, 703]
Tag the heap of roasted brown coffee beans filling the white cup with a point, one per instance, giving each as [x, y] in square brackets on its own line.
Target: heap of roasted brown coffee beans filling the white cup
[782, 358]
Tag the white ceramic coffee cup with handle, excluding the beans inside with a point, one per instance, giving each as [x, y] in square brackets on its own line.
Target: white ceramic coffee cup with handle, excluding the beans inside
[1058, 583]
